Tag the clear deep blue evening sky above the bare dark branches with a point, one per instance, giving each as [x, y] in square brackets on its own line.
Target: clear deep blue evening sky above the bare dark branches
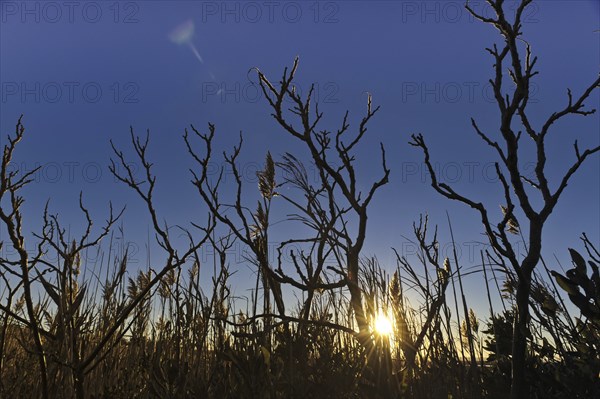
[82, 73]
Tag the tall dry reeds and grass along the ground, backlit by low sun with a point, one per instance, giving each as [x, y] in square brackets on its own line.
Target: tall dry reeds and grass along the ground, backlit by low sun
[183, 342]
